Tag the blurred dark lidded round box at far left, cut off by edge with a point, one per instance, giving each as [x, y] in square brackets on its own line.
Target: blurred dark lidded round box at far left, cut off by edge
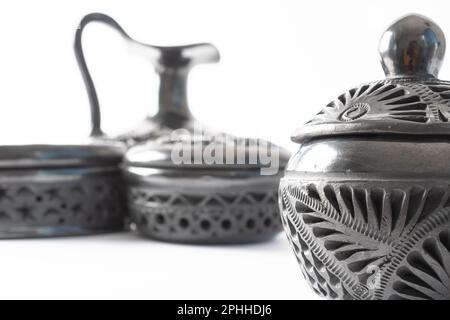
[61, 190]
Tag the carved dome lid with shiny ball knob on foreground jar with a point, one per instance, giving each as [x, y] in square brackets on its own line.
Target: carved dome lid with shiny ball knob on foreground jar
[410, 101]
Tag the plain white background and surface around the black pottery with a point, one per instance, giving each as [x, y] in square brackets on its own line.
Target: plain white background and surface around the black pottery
[281, 62]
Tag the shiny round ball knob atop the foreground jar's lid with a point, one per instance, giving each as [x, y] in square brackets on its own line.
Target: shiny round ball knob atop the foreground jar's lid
[413, 46]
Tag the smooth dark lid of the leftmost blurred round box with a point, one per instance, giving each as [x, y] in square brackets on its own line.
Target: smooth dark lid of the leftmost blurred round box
[36, 156]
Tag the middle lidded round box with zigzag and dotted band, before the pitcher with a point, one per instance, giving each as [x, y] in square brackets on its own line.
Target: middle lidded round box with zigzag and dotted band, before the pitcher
[204, 203]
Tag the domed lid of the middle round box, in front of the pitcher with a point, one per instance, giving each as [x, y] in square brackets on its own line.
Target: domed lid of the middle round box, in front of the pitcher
[220, 151]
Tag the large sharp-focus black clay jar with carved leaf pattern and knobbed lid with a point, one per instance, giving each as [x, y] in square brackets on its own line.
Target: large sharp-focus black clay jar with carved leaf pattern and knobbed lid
[365, 201]
